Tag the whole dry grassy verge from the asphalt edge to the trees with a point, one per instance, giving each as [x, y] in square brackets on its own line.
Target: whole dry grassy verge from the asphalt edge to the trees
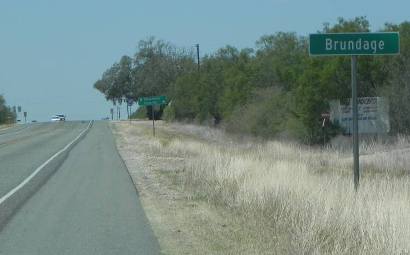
[208, 193]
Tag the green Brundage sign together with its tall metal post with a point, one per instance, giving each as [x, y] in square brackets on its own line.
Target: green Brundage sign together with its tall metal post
[354, 44]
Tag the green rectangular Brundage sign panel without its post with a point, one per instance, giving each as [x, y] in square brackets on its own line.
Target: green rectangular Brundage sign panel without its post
[354, 44]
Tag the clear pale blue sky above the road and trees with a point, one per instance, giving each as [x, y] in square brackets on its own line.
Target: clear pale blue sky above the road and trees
[52, 51]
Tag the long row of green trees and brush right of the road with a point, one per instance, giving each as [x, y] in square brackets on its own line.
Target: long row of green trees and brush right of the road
[274, 89]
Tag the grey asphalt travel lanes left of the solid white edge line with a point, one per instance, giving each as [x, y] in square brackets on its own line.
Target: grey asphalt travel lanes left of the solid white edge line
[24, 148]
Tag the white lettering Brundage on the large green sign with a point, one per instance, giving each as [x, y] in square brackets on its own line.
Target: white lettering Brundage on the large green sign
[354, 45]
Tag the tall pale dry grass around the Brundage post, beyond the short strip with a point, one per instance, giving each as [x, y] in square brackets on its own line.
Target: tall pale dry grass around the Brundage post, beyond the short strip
[293, 199]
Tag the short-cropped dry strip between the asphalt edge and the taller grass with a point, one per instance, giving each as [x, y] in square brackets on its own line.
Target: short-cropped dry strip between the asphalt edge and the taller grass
[182, 225]
